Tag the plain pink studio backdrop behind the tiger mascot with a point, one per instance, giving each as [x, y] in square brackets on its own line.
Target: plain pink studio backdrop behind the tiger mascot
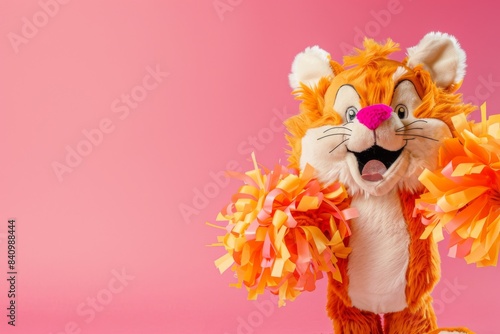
[119, 208]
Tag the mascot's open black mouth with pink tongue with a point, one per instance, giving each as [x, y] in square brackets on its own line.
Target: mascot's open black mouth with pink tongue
[375, 161]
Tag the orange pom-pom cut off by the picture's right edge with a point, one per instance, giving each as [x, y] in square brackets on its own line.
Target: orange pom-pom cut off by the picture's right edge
[464, 193]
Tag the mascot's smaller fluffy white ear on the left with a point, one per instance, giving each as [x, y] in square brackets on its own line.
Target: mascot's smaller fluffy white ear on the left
[310, 66]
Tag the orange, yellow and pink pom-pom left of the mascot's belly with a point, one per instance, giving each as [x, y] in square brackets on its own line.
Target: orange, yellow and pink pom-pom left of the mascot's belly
[284, 230]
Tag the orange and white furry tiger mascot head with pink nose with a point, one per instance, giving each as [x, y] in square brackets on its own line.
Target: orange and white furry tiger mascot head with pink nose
[374, 123]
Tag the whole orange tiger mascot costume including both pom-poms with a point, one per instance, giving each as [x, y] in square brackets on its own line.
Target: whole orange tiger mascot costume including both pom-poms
[381, 159]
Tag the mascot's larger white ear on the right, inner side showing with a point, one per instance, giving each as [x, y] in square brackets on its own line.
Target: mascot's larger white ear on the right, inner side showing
[442, 56]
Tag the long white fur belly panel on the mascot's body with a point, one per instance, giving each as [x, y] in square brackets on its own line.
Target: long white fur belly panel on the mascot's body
[379, 259]
